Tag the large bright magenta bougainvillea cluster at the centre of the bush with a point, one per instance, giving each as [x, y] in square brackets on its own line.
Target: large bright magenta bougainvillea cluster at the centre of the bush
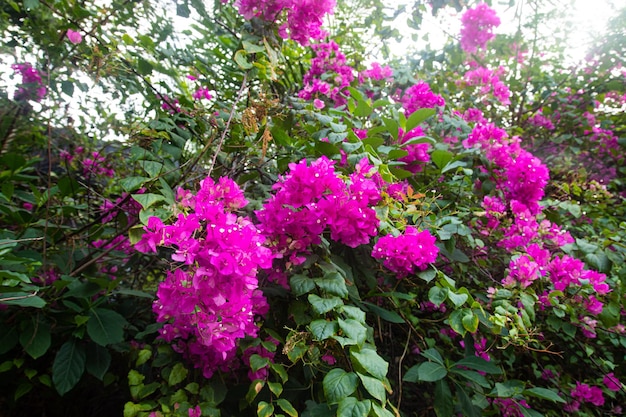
[312, 198]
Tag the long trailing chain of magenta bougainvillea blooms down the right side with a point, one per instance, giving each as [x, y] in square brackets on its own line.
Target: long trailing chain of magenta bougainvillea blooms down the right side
[521, 179]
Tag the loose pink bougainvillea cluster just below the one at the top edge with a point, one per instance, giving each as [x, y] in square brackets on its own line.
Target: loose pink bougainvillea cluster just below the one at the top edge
[328, 76]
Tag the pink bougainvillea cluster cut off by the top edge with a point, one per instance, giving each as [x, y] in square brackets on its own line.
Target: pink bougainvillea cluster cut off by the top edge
[300, 20]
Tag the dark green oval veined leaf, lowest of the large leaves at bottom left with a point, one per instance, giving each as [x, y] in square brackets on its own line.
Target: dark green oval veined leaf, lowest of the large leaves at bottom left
[68, 366]
